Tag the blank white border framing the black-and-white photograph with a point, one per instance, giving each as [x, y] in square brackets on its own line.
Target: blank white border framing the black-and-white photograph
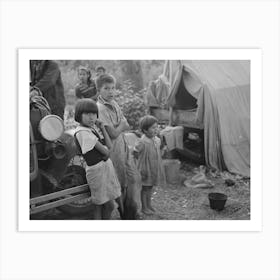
[255, 57]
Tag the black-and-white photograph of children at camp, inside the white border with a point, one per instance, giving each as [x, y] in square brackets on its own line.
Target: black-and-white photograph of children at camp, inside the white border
[138, 140]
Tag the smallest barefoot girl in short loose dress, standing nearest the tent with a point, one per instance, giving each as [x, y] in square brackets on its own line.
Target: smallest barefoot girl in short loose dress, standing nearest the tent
[149, 161]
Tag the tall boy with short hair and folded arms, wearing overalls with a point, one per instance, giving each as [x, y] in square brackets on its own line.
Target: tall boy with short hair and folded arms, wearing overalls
[116, 124]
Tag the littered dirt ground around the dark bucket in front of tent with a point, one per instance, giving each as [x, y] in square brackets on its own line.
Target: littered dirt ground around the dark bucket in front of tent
[179, 202]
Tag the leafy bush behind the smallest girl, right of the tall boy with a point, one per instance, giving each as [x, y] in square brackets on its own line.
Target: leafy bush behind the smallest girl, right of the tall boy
[132, 103]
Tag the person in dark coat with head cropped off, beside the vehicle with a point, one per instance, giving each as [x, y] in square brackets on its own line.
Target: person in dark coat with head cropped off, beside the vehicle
[46, 77]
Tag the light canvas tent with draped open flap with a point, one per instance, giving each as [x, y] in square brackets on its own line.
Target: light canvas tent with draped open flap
[219, 93]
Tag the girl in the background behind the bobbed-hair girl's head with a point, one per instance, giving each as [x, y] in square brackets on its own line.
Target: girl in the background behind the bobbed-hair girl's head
[86, 87]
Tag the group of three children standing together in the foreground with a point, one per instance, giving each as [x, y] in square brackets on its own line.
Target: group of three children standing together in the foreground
[113, 172]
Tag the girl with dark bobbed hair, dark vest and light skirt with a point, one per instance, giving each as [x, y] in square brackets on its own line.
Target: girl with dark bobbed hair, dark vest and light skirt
[100, 173]
